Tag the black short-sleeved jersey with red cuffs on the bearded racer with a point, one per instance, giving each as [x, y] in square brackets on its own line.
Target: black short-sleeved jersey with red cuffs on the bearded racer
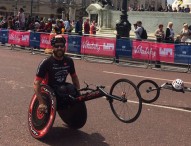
[54, 72]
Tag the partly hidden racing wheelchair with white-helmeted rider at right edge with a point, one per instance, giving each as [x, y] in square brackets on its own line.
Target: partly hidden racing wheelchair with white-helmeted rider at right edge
[150, 90]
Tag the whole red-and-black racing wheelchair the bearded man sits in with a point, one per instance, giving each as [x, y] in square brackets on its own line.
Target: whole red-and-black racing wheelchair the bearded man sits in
[124, 99]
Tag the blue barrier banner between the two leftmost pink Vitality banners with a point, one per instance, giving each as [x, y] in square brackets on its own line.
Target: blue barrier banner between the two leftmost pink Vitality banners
[35, 39]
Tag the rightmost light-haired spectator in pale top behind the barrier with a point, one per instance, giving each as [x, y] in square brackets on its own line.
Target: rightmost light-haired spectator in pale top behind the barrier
[185, 33]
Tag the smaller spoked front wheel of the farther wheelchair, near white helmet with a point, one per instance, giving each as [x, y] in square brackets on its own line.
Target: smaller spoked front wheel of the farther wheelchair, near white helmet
[149, 90]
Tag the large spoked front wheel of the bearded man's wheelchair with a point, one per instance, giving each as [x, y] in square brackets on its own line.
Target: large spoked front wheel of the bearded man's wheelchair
[127, 104]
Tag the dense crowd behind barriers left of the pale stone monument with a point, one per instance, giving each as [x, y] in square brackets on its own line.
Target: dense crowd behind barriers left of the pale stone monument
[37, 24]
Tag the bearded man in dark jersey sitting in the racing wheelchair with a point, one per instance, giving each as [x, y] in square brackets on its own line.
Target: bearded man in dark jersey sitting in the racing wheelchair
[54, 70]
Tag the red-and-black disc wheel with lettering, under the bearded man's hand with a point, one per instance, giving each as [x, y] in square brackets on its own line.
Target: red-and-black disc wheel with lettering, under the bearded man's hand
[40, 123]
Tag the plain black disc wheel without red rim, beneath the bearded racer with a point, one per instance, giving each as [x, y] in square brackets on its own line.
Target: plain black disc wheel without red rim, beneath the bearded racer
[75, 115]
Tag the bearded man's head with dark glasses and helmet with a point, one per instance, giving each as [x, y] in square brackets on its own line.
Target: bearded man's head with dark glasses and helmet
[58, 43]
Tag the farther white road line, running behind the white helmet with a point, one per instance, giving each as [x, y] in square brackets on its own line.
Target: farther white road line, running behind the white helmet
[140, 76]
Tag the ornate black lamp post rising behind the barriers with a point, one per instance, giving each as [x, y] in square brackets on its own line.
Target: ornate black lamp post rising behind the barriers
[123, 27]
